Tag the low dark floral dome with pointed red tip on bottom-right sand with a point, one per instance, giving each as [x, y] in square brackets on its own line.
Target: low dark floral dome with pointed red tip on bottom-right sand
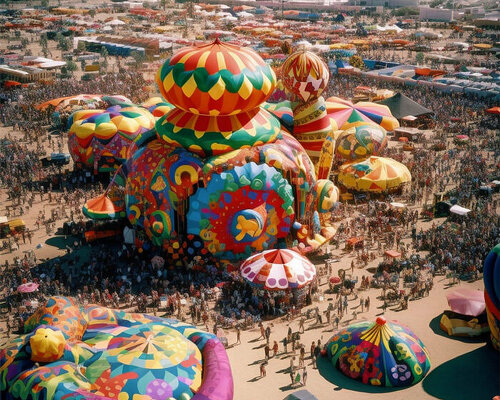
[379, 353]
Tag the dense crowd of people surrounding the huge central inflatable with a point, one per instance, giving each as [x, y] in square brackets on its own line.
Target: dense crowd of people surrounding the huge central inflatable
[116, 275]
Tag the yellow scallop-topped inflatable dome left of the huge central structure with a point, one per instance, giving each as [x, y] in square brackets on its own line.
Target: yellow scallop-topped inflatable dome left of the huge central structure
[100, 139]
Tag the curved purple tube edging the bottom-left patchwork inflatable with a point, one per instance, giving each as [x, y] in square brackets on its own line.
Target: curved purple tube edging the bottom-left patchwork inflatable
[217, 377]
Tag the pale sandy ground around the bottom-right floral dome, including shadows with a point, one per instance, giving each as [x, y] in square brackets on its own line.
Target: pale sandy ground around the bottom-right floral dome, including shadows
[458, 367]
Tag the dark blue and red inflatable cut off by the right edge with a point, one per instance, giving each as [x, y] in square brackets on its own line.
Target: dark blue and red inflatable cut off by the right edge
[491, 276]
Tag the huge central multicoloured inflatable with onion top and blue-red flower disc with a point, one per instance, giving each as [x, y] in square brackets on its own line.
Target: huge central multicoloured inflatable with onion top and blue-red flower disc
[218, 165]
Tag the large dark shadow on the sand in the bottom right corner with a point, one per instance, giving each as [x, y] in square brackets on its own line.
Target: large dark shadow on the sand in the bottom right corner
[473, 375]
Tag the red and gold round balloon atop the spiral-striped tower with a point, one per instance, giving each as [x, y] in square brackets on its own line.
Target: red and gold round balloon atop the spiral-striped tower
[305, 75]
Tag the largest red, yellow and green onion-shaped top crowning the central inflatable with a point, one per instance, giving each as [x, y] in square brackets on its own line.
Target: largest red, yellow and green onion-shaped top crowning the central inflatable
[216, 79]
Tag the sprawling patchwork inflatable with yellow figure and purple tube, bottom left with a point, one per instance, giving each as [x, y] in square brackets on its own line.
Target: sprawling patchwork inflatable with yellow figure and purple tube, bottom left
[92, 352]
